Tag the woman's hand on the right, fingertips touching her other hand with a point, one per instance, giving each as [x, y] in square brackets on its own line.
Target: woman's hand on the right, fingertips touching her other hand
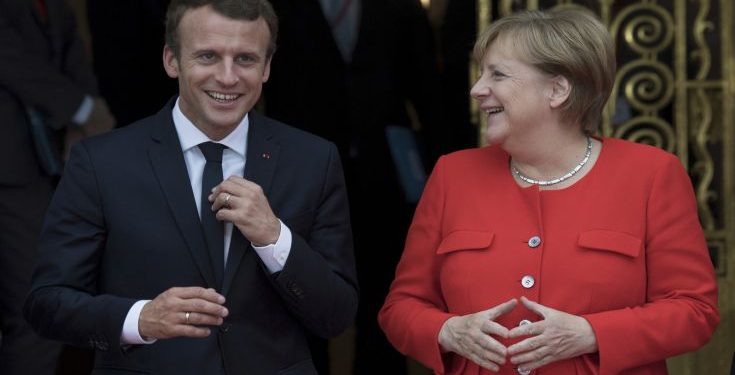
[558, 336]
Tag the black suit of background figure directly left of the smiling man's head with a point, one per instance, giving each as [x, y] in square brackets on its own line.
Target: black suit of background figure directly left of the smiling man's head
[127, 37]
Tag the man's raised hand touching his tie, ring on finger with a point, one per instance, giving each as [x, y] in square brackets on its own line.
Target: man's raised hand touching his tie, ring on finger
[244, 204]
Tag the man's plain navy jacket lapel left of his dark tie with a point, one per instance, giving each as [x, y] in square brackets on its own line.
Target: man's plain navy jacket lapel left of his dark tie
[170, 169]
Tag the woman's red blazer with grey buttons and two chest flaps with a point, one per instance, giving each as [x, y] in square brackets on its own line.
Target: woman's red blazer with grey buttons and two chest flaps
[622, 248]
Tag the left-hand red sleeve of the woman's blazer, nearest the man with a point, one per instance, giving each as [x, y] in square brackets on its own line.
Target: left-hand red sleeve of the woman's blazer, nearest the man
[414, 310]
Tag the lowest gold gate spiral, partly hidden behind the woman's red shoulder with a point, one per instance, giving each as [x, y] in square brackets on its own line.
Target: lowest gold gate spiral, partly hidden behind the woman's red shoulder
[649, 130]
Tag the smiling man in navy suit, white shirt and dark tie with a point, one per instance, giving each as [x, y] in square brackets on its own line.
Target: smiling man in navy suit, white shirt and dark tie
[161, 273]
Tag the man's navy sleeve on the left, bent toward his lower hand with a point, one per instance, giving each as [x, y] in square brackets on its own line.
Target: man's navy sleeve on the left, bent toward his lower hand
[63, 303]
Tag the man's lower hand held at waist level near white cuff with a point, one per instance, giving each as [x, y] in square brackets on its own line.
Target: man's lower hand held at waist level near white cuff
[166, 316]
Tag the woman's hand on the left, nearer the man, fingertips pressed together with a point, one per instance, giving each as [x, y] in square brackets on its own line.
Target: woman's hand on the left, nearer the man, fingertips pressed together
[471, 336]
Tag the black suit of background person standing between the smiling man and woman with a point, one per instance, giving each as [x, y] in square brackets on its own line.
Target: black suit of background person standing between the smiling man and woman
[351, 103]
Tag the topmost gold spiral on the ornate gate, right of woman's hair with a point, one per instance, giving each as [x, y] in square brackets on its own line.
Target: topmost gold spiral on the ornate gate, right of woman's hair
[650, 31]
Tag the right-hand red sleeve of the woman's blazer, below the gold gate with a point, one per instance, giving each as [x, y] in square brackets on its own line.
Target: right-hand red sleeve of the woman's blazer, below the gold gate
[680, 314]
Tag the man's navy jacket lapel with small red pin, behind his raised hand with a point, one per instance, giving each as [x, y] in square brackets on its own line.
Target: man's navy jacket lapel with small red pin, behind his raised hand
[260, 166]
